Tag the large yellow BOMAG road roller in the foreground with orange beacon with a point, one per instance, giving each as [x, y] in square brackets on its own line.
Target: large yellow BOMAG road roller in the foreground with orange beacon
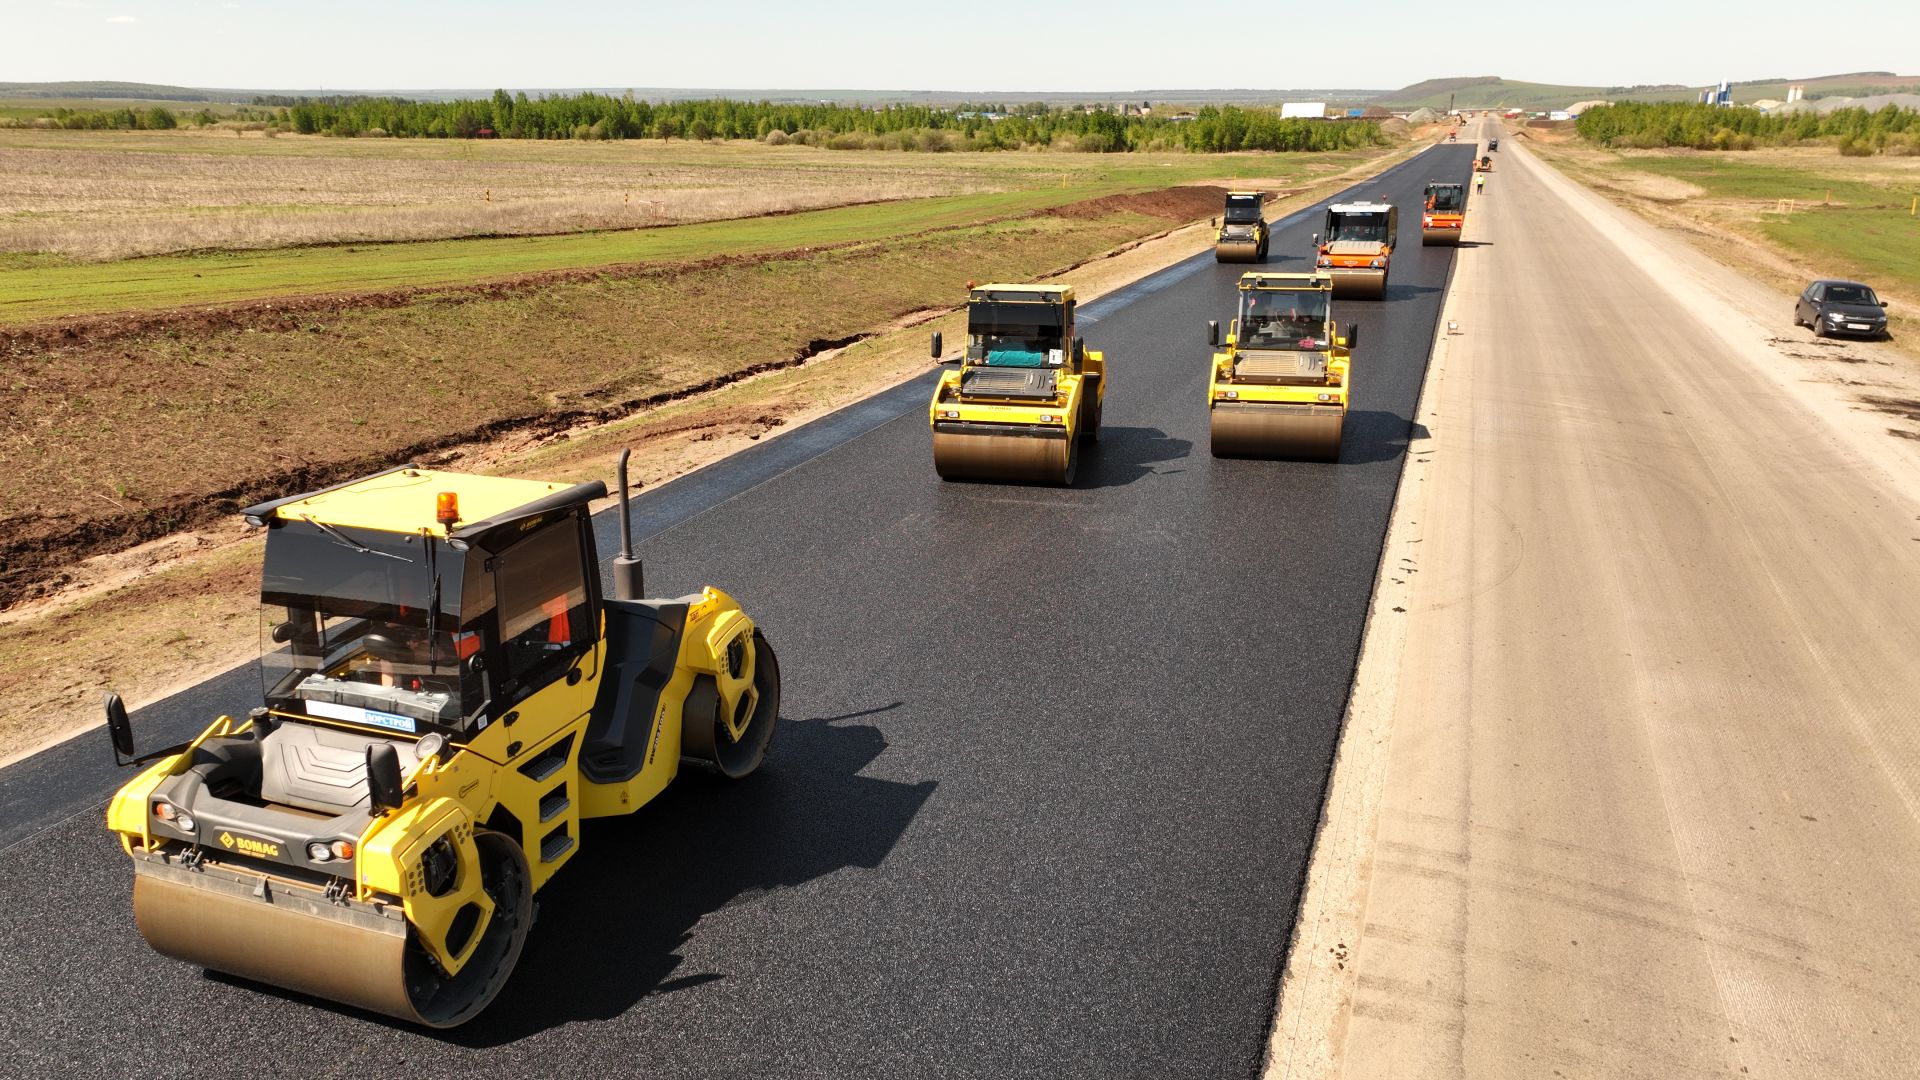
[446, 699]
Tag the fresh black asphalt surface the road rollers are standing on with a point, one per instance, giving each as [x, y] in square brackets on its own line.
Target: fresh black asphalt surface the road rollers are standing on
[1042, 800]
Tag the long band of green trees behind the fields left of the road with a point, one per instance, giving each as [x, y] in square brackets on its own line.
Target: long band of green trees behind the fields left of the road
[840, 128]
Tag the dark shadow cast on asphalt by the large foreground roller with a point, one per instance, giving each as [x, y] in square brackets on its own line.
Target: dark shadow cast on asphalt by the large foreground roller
[612, 929]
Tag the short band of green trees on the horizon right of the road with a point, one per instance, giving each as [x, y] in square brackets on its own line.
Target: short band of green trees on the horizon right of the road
[1888, 130]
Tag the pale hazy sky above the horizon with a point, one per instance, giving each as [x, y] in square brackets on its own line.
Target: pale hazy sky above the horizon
[955, 45]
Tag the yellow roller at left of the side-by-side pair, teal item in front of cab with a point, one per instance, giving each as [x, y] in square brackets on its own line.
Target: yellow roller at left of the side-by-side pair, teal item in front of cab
[1028, 391]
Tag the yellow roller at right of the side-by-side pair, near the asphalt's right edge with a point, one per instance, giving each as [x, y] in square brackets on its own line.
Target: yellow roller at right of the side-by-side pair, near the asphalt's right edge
[1282, 385]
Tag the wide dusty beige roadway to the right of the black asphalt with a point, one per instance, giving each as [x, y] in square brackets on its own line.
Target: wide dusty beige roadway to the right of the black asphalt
[1652, 789]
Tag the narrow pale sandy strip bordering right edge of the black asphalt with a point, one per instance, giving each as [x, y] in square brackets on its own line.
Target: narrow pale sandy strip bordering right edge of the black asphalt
[1316, 985]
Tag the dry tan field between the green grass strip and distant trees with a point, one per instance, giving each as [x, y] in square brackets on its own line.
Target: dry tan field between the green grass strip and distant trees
[116, 195]
